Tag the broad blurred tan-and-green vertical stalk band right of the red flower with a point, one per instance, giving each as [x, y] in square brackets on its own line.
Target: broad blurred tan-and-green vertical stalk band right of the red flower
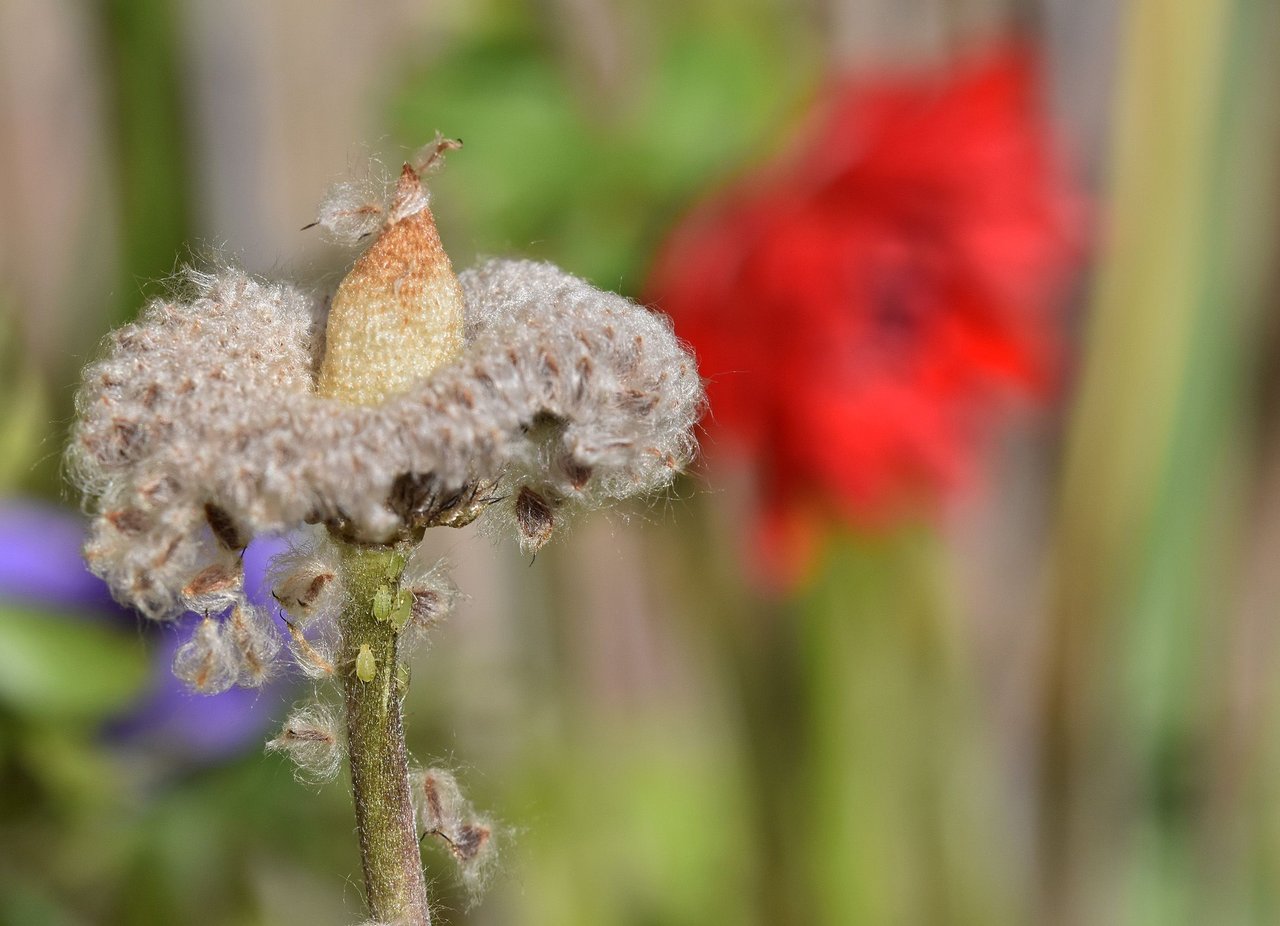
[1144, 491]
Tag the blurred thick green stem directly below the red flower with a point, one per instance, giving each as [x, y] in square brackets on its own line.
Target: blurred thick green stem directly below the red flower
[893, 774]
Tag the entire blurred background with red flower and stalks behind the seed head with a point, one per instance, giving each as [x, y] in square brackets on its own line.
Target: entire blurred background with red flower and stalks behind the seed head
[968, 614]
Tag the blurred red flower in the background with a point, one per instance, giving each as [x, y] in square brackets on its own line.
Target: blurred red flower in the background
[865, 307]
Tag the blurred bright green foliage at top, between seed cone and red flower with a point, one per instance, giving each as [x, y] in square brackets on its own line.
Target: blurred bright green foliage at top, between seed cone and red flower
[551, 172]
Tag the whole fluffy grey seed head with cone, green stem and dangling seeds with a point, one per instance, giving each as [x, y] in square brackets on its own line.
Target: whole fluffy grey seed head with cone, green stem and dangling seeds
[412, 399]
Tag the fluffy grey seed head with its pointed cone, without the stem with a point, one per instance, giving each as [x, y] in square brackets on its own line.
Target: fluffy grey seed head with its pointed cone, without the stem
[514, 390]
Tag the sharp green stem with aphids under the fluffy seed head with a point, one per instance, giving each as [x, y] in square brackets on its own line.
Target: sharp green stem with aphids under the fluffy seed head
[395, 886]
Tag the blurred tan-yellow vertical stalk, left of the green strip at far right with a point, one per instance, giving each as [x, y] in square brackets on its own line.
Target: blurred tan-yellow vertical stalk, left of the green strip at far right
[1142, 335]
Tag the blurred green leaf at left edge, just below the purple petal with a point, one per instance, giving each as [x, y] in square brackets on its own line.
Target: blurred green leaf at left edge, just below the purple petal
[61, 668]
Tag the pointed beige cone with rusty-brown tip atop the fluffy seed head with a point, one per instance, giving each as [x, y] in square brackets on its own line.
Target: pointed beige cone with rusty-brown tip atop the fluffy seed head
[399, 316]
